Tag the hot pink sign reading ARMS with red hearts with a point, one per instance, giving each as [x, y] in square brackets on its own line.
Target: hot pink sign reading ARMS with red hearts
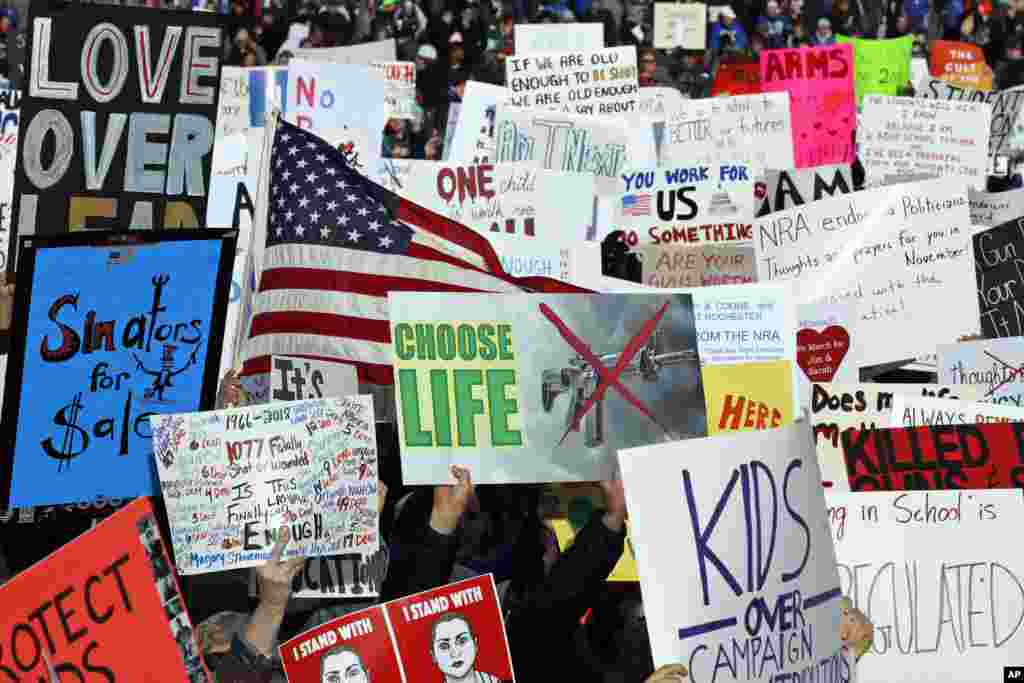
[820, 81]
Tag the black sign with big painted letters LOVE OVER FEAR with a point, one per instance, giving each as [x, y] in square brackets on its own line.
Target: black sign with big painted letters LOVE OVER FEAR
[120, 178]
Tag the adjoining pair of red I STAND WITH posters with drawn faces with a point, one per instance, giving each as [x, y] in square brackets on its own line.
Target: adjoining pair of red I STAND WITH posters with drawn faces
[455, 632]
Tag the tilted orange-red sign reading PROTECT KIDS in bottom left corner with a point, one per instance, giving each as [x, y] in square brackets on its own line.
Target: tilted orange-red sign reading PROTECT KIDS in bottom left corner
[111, 586]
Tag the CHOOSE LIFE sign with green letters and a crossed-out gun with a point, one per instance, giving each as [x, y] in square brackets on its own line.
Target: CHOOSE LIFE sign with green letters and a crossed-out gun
[538, 420]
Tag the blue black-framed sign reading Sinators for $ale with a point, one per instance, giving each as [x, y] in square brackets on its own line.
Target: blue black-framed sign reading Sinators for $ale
[107, 368]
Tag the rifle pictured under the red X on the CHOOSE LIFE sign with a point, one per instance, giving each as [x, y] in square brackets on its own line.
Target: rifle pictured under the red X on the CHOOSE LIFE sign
[580, 380]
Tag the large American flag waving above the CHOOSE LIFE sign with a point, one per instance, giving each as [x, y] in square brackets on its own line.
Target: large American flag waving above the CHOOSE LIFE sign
[336, 244]
